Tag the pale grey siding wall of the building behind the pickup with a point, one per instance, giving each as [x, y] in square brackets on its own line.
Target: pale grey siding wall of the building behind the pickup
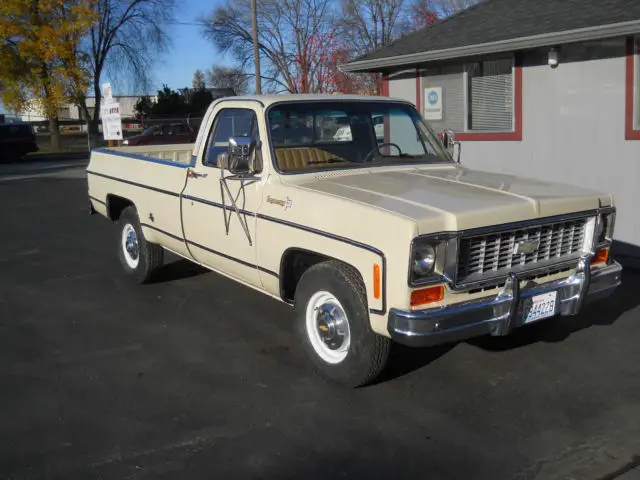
[573, 132]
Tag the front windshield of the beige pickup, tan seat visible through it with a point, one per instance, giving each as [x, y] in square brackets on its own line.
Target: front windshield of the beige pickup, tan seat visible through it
[336, 135]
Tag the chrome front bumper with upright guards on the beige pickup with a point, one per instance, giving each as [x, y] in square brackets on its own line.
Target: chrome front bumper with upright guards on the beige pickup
[500, 314]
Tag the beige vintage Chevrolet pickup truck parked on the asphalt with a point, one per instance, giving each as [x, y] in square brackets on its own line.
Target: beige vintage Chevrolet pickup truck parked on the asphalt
[352, 210]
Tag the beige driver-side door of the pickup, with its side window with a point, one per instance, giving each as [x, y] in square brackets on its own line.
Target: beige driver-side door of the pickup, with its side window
[218, 235]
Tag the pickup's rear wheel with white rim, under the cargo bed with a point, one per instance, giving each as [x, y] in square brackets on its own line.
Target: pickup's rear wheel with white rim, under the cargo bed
[140, 259]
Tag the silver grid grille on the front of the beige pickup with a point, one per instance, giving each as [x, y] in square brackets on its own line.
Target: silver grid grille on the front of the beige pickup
[493, 254]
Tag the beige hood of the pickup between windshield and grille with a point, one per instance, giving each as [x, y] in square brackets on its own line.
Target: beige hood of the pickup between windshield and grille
[456, 198]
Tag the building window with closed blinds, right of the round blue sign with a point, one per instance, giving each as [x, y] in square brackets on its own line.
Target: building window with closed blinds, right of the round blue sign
[489, 102]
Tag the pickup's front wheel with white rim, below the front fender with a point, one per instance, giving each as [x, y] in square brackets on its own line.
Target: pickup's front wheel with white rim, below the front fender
[332, 323]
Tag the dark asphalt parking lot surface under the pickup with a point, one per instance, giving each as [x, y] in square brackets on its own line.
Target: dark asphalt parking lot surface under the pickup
[198, 377]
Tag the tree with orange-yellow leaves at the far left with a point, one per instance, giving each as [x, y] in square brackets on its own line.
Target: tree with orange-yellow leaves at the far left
[40, 56]
